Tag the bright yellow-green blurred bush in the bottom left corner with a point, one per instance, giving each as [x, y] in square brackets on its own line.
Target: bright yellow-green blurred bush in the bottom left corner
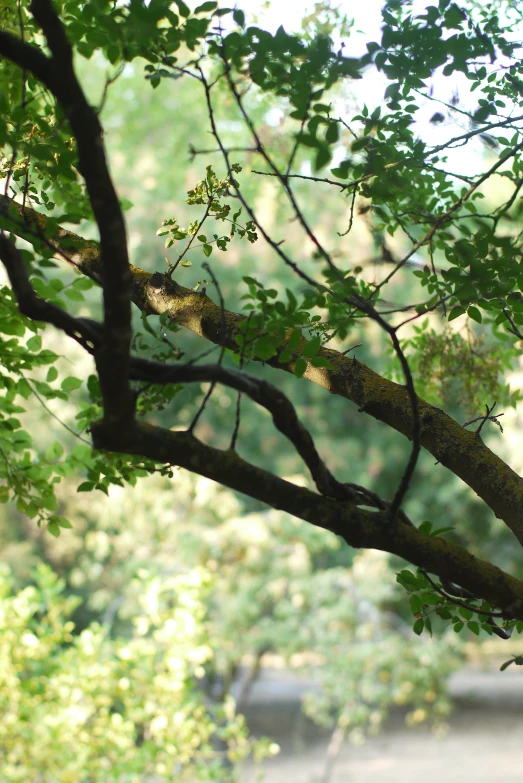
[89, 707]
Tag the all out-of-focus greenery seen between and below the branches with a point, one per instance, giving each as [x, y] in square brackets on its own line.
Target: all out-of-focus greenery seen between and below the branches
[86, 647]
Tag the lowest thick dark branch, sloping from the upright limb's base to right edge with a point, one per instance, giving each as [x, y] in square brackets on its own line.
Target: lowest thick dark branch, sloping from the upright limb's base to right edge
[358, 527]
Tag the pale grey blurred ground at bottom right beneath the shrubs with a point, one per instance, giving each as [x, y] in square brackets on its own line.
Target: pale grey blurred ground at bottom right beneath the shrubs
[484, 743]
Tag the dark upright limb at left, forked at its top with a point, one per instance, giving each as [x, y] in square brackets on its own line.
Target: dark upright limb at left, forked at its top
[57, 74]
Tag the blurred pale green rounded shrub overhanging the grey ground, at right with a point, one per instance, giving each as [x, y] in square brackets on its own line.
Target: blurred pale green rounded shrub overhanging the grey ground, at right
[370, 663]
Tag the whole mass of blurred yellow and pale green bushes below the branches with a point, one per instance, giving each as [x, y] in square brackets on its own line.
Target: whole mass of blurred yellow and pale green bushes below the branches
[200, 591]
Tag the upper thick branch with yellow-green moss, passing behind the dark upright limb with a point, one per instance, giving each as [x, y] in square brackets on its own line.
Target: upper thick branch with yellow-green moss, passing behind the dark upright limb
[458, 449]
